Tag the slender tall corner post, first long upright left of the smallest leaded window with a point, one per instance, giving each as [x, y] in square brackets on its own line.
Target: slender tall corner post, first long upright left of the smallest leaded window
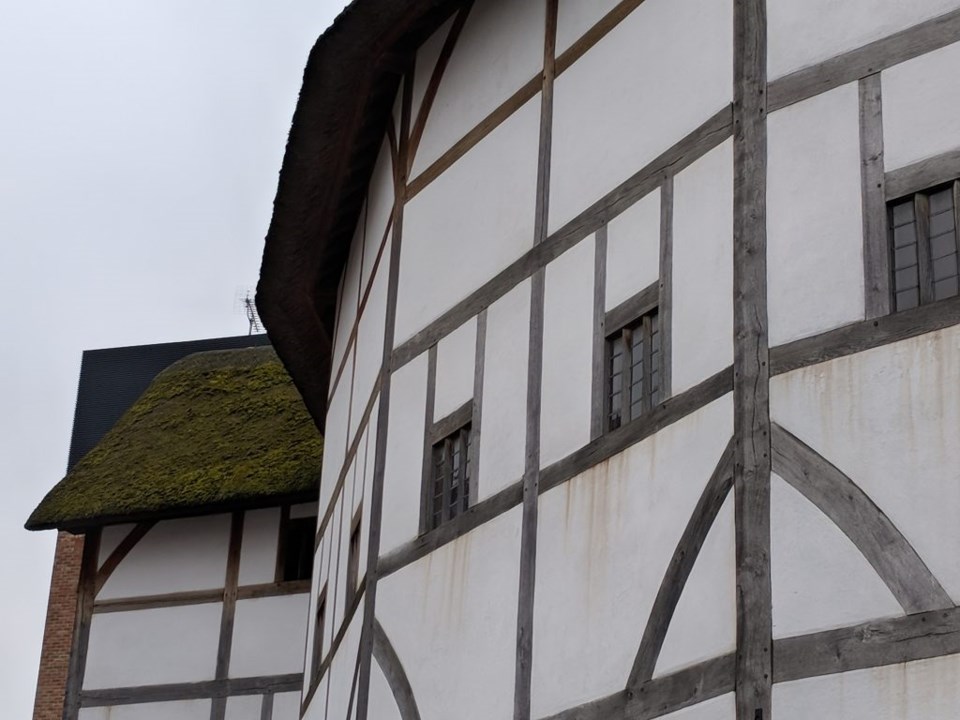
[380, 446]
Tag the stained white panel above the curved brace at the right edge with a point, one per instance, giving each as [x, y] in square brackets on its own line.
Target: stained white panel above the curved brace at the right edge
[889, 418]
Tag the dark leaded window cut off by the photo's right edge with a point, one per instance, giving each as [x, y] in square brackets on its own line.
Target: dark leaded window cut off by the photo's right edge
[923, 233]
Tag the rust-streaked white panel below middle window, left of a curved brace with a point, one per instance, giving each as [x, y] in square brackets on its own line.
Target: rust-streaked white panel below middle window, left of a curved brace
[604, 541]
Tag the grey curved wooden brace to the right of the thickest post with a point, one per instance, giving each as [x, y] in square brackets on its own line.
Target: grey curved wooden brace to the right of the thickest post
[880, 542]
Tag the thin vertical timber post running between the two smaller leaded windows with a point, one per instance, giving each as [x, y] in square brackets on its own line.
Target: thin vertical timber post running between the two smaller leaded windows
[531, 475]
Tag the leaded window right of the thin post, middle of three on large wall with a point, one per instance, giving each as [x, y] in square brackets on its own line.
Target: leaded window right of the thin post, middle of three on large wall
[633, 370]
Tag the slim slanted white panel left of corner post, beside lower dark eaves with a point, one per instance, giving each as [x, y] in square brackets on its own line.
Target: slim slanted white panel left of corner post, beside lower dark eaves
[370, 342]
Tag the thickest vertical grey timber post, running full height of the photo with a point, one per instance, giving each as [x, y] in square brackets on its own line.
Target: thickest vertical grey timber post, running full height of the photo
[752, 452]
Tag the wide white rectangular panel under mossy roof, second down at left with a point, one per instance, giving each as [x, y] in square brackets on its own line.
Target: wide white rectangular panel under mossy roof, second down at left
[152, 647]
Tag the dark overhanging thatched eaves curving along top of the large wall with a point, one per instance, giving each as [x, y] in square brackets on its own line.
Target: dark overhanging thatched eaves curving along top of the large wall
[349, 85]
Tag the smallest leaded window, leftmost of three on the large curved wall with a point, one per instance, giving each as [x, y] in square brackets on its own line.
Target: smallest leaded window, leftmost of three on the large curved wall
[448, 491]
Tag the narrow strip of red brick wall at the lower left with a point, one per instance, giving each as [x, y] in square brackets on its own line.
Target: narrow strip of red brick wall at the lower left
[58, 633]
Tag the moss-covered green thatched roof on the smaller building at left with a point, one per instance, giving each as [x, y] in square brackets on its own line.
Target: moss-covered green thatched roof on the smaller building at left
[213, 431]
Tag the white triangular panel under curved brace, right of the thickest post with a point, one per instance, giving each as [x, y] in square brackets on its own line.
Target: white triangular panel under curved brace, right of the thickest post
[820, 578]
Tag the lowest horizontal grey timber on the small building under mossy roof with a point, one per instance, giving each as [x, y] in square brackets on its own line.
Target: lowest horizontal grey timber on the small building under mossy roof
[192, 691]
